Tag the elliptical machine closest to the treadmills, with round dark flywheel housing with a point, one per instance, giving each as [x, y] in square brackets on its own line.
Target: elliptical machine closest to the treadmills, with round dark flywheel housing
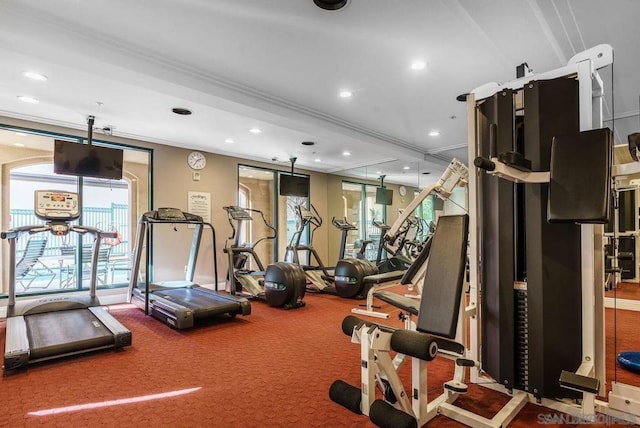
[280, 285]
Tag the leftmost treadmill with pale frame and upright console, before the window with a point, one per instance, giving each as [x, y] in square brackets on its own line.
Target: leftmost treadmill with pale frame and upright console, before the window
[57, 326]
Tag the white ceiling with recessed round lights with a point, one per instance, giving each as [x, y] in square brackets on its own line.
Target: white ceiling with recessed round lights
[279, 65]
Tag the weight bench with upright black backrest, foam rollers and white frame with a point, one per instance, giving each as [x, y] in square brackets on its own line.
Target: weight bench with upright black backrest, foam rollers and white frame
[438, 332]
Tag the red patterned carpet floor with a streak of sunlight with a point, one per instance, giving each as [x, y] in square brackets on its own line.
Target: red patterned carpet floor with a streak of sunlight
[272, 368]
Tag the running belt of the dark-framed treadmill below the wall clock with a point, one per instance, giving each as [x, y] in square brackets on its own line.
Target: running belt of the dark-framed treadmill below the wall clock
[203, 303]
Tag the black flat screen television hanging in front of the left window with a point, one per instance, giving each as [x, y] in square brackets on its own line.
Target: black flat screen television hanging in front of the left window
[87, 160]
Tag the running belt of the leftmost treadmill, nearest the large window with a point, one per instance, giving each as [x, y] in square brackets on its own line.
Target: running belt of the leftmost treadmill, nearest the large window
[63, 332]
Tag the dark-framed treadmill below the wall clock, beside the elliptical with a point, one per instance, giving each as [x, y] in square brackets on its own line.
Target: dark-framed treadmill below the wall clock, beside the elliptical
[179, 303]
